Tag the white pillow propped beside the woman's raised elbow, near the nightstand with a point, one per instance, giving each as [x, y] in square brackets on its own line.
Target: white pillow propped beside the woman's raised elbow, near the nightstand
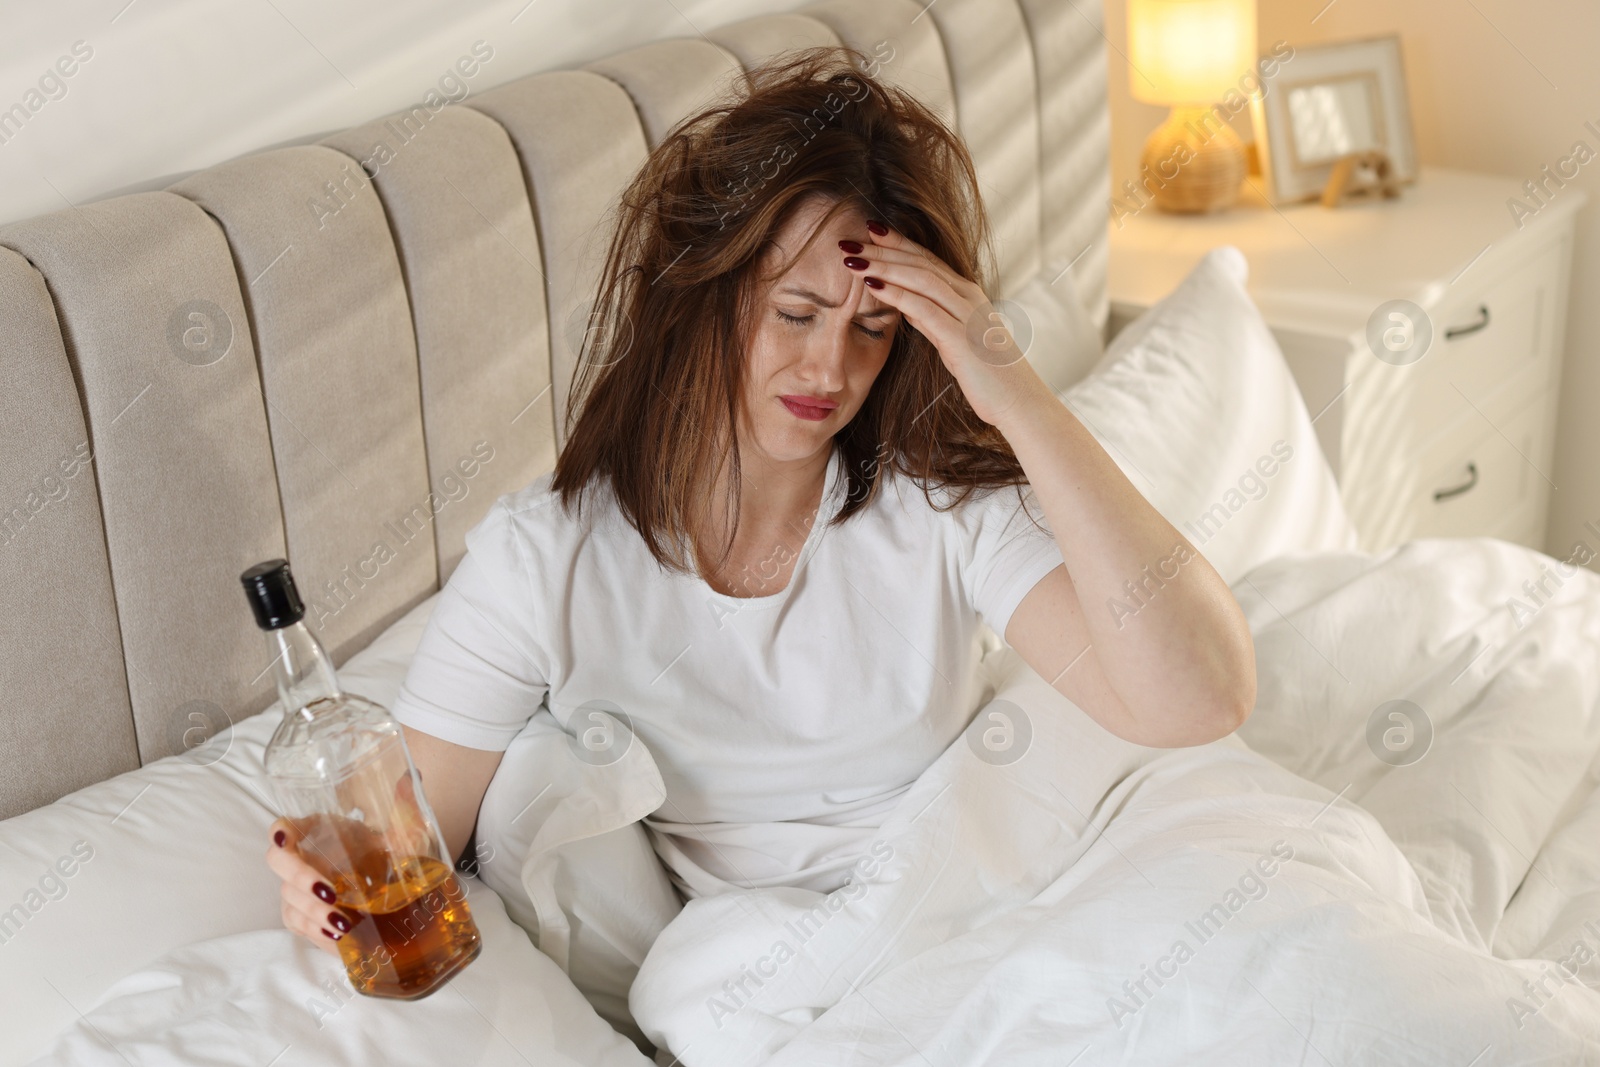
[1201, 412]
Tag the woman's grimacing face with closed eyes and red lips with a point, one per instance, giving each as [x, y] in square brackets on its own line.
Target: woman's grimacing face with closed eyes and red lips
[818, 345]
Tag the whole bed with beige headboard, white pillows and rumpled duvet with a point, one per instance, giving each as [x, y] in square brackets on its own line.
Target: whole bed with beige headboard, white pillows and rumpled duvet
[294, 354]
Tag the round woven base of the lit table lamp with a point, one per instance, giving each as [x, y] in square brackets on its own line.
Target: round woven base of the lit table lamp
[1196, 162]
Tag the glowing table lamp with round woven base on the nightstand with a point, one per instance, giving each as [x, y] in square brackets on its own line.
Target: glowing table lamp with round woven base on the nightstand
[1190, 55]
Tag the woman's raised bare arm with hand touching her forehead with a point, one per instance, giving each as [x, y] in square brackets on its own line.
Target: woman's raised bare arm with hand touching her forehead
[1174, 666]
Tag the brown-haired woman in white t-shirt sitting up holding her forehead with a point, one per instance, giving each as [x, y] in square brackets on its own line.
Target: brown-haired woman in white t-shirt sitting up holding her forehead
[780, 516]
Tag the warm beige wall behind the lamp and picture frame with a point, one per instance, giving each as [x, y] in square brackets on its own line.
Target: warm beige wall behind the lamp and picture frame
[1502, 87]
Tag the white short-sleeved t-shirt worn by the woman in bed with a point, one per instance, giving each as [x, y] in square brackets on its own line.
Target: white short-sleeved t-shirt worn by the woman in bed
[786, 727]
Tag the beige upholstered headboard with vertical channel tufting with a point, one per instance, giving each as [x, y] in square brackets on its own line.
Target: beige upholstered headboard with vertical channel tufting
[281, 358]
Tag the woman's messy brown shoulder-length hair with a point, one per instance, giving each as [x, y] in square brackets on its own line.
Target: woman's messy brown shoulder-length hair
[660, 377]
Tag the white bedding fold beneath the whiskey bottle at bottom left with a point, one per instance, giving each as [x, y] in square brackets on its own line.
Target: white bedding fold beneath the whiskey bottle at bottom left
[268, 997]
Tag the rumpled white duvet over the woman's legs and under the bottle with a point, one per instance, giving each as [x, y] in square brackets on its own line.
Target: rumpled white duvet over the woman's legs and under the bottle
[1348, 882]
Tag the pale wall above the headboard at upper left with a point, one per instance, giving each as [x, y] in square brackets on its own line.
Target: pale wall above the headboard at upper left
[178, 86]
